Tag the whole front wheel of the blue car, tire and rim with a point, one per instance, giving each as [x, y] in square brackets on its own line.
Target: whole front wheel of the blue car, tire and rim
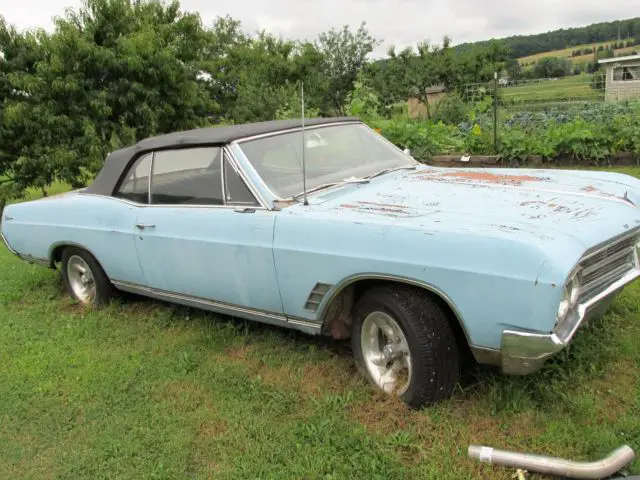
[403, 344]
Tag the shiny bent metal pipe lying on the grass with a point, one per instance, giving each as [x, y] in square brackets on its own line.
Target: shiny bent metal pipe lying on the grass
[561, 467]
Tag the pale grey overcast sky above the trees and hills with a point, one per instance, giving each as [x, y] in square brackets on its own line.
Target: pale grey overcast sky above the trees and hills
[396, 22]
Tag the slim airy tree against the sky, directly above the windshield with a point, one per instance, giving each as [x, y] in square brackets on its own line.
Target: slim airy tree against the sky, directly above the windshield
[345, 54]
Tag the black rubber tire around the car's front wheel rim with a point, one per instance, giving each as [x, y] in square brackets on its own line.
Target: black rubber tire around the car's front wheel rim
[434, 353]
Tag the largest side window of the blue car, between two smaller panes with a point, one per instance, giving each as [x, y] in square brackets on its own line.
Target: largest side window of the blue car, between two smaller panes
[190, 176]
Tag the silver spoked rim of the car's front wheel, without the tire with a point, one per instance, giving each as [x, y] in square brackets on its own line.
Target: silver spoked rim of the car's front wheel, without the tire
[386, 353]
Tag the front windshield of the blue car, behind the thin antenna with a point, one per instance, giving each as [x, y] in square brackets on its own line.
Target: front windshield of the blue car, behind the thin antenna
[333, 154]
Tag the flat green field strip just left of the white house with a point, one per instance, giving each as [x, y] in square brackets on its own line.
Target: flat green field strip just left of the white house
[570, 88]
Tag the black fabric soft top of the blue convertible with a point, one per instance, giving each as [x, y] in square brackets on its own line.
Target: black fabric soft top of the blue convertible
[117, 161]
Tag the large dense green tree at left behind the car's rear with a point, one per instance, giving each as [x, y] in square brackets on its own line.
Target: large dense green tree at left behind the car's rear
[111, 73]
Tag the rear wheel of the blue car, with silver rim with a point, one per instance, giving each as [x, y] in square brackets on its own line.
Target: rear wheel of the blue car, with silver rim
[84, 278]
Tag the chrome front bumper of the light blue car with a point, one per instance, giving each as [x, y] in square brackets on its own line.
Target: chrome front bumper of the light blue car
[522, 353]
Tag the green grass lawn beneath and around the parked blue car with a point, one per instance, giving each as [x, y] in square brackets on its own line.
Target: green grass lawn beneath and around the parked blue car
[142, 389]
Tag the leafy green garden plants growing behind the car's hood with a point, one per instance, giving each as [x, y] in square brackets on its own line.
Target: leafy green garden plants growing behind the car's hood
[584, 133]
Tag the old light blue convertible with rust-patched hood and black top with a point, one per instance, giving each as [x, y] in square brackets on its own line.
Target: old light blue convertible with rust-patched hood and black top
[417, 265]
